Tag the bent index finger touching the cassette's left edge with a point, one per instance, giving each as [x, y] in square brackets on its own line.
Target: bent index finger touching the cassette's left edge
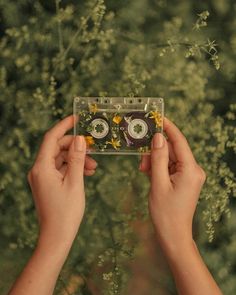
[50, 147]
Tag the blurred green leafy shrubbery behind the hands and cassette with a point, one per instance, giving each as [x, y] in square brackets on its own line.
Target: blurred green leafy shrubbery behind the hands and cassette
[184, 51]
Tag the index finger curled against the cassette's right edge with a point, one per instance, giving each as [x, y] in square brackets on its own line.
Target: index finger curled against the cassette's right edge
[179, 143]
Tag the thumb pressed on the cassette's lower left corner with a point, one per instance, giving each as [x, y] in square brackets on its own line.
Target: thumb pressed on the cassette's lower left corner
[76, 160]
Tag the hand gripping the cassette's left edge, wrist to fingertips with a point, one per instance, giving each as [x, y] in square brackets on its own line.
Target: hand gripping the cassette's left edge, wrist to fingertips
[57, 182]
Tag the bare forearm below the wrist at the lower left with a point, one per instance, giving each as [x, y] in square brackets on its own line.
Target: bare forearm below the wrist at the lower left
[41, 272]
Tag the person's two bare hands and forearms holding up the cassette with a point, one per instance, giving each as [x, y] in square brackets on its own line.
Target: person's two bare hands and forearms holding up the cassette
[57, 183]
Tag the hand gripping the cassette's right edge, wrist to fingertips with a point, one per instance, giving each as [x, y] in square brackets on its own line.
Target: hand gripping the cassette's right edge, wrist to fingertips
[176, 182]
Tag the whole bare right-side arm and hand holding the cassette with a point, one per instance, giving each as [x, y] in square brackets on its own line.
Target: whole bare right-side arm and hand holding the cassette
[176, 182]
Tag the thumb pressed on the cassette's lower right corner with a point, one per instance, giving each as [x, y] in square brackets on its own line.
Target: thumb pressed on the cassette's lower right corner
[159, 163]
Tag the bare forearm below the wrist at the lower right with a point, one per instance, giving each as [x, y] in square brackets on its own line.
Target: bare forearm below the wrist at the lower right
[190, 273]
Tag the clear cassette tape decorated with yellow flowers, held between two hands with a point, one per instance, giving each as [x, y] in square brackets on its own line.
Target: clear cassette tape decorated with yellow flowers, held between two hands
[118, 125]
